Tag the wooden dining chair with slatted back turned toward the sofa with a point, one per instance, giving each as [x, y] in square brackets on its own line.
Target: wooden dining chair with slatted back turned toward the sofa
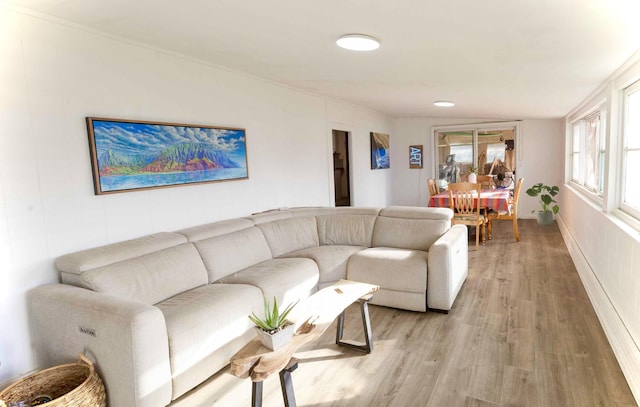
[463, 200]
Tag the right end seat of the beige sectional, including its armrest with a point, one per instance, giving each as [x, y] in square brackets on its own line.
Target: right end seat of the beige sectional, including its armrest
[406, 244]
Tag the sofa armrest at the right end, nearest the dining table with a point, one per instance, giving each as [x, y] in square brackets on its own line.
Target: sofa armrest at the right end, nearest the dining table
[447, 268]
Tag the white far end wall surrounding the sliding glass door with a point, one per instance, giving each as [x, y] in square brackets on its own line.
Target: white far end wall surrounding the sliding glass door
[539, 157]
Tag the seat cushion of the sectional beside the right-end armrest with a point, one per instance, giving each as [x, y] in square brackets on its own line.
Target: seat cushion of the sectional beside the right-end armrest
[390, 268]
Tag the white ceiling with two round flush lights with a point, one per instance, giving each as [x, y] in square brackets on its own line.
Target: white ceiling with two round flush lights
[500, 59]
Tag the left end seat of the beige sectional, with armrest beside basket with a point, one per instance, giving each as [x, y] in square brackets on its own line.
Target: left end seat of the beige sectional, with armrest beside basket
[144, 309]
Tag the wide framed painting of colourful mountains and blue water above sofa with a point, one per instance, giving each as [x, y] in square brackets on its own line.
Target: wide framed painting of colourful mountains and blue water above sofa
[135, 155]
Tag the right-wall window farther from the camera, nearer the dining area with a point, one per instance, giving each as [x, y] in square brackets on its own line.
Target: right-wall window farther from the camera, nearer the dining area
[588, 152]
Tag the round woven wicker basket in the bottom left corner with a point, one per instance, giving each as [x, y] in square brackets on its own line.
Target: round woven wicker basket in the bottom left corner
[72, 385]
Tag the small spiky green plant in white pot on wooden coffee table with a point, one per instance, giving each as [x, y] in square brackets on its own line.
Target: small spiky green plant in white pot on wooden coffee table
[274, 330]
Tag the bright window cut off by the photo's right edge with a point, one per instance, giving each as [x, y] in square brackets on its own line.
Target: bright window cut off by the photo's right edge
[630, 199]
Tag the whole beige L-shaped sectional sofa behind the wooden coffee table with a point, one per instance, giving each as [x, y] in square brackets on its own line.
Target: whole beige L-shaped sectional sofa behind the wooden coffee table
[162, 313]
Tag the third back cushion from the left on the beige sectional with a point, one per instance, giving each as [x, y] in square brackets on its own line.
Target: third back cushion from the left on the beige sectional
[291, 234]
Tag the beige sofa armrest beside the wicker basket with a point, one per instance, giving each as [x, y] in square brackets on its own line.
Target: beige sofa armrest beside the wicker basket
[127, 340]
